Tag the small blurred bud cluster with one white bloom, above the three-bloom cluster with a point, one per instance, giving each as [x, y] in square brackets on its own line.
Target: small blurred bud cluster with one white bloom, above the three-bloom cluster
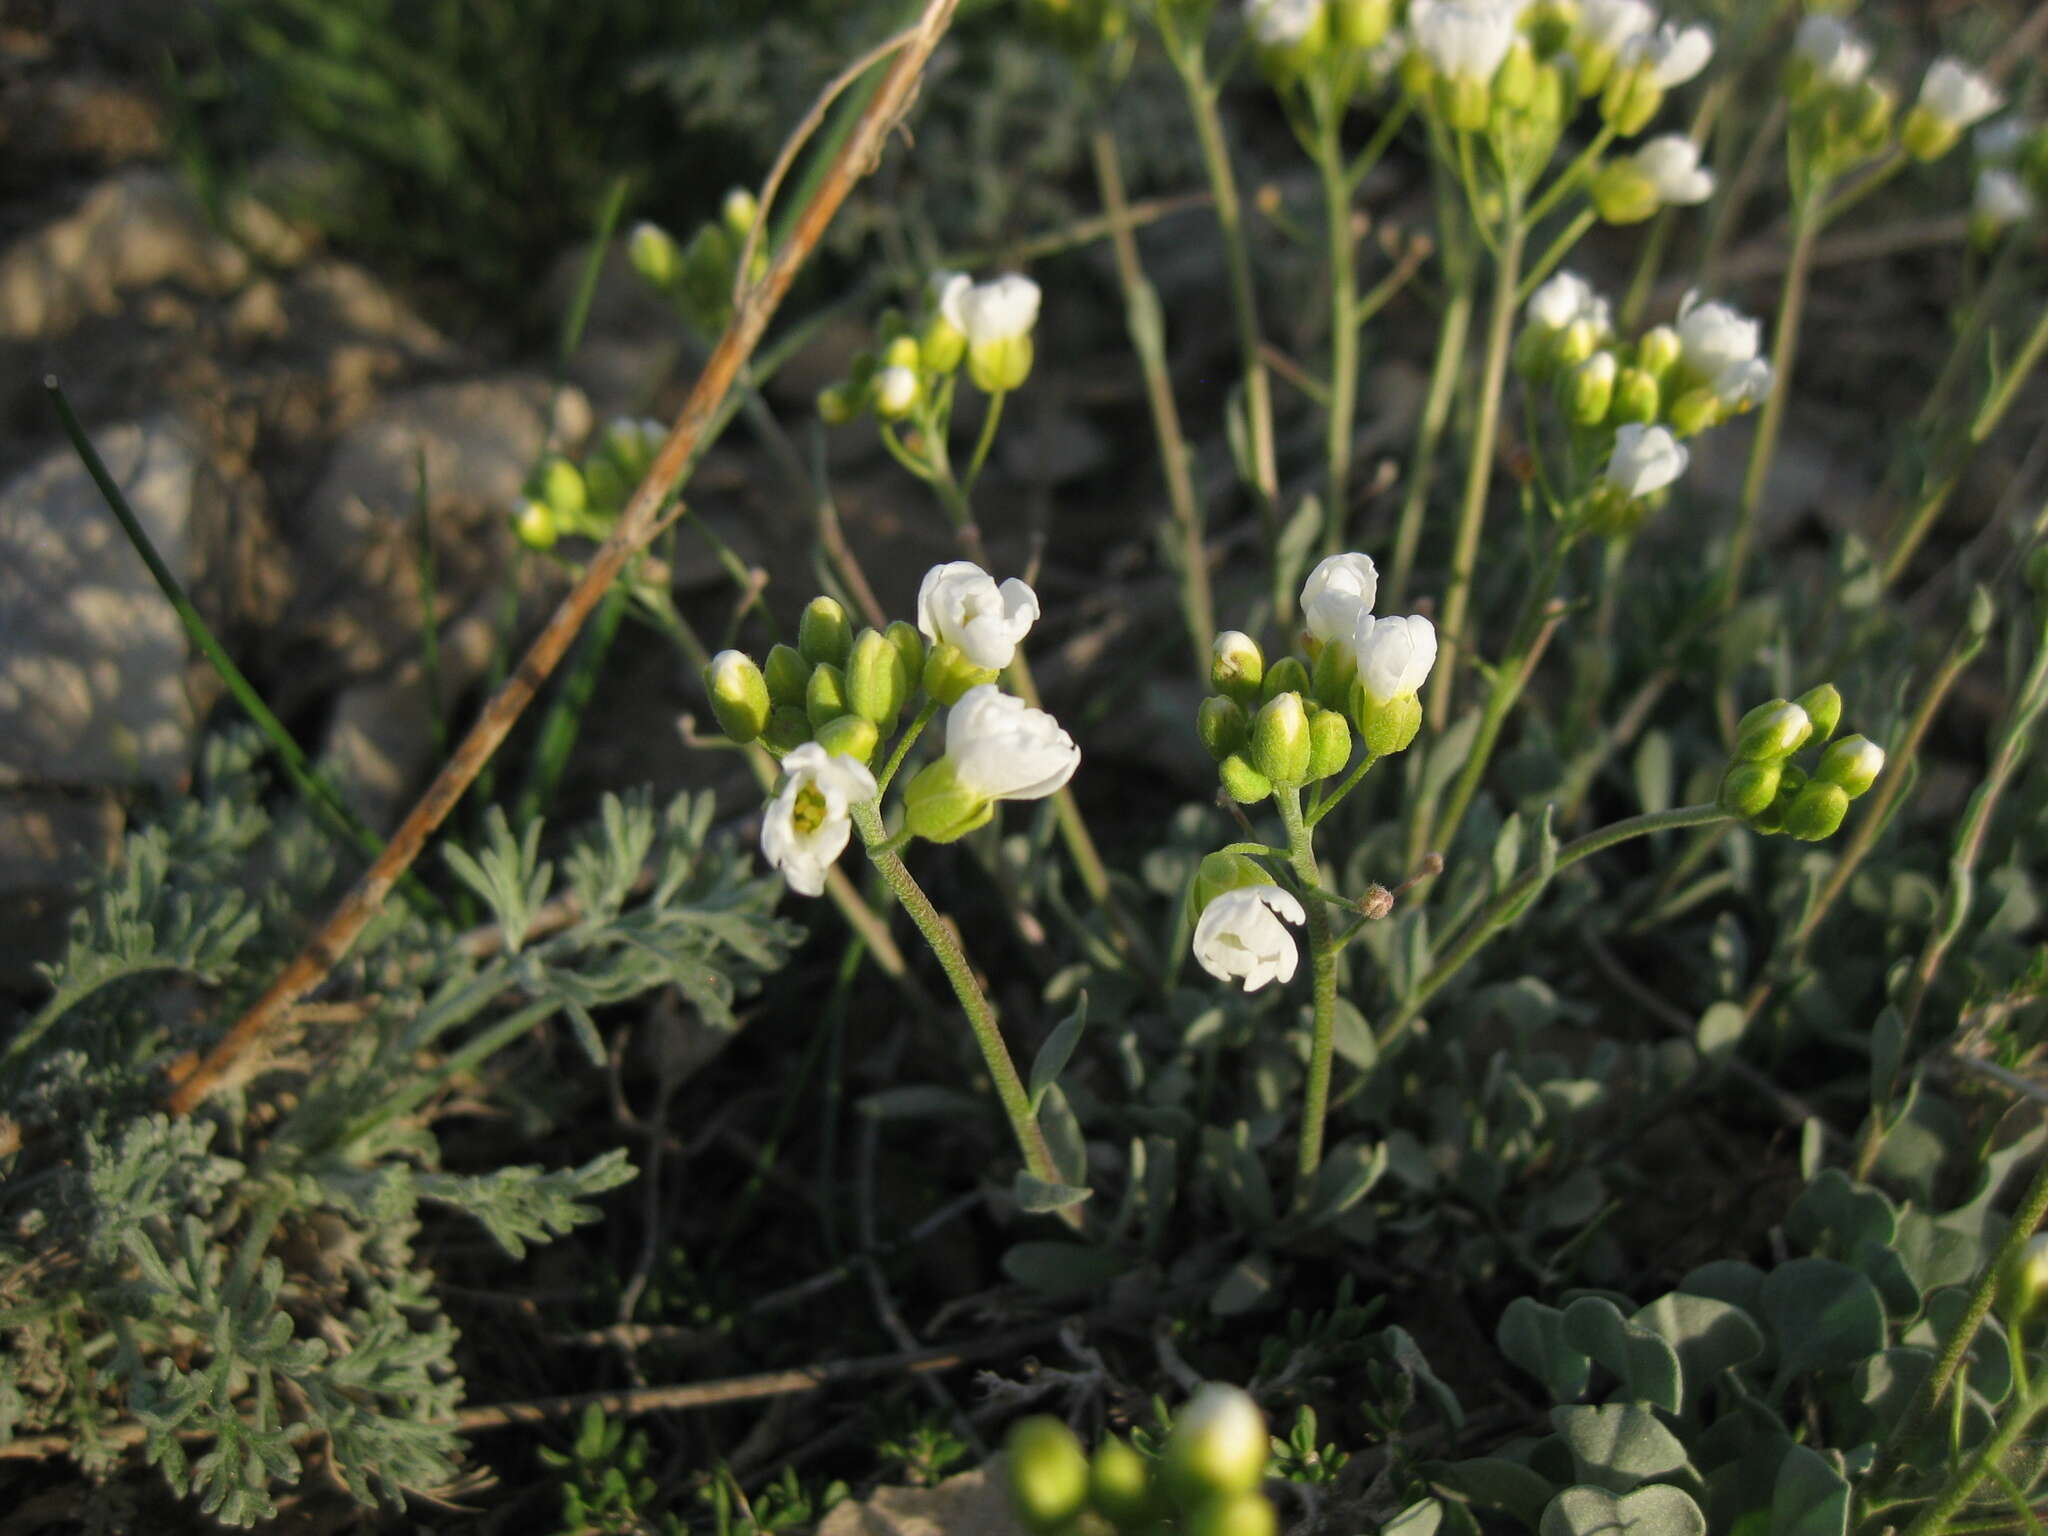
[910, 376]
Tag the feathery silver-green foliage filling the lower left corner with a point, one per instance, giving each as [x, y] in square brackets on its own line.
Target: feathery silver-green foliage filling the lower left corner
[241, 1289]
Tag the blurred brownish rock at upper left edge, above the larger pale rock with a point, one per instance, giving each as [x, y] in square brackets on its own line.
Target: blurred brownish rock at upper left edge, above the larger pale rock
[130, 232]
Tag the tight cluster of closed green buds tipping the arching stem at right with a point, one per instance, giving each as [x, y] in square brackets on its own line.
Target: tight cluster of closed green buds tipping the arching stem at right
[1773, 794]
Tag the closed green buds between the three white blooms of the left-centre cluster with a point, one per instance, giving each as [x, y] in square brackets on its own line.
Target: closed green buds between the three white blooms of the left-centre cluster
[833, 687]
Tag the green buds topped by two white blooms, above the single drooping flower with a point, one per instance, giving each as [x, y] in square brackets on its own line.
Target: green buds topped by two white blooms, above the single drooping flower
[1291, 724]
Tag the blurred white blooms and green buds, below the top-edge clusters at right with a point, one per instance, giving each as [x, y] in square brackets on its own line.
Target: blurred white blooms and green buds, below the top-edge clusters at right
[1633, 404]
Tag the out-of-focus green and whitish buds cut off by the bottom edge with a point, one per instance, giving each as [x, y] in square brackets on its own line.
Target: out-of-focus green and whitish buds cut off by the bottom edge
[1205, 1482]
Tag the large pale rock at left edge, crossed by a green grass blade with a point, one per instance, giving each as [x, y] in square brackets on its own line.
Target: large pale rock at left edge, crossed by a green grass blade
[91, 654]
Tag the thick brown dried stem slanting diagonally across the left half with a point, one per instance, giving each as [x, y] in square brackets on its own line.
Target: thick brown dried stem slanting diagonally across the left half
[644, 517]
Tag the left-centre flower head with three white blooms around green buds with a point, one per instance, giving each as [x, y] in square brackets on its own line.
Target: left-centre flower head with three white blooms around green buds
[828, 703]
